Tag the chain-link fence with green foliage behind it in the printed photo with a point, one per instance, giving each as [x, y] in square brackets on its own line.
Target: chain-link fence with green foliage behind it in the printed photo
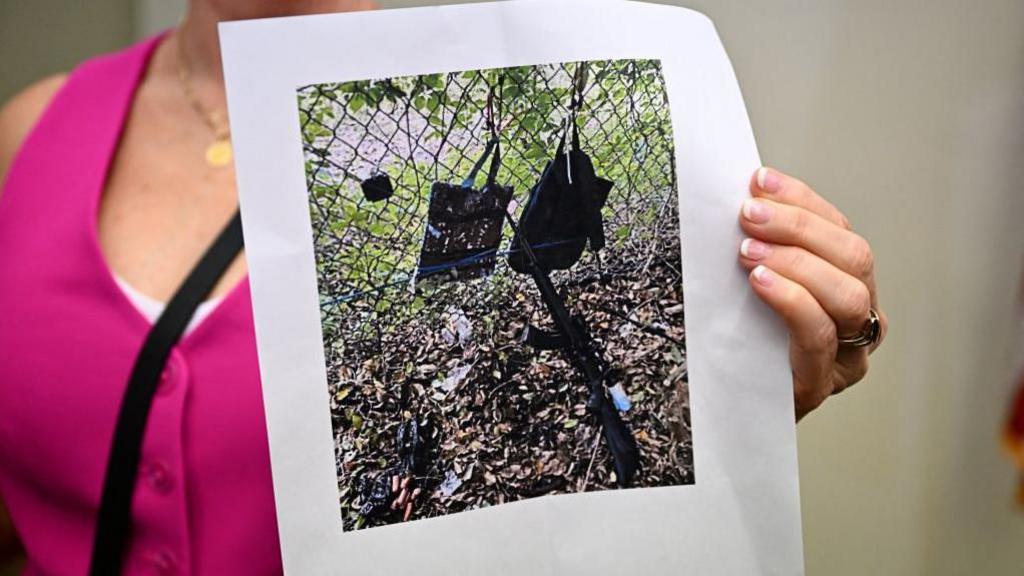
[434, 129]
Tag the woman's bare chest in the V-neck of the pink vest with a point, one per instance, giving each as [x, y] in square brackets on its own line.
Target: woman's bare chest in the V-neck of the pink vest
[162, 204]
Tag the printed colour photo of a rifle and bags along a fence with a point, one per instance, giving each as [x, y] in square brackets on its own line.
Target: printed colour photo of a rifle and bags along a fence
[501, 285]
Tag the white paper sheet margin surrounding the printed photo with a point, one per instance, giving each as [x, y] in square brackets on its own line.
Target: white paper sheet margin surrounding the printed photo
[741, 514]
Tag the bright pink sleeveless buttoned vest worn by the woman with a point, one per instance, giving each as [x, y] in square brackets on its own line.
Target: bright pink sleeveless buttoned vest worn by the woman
[204, 503]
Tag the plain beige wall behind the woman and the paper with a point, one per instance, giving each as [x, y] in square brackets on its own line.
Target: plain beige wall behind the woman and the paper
[910, 116]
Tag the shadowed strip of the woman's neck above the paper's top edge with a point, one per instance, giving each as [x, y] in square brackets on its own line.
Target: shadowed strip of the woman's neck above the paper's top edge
[198, 33]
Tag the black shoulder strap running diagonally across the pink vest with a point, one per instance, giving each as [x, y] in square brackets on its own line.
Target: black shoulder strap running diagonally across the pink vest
[114, 520]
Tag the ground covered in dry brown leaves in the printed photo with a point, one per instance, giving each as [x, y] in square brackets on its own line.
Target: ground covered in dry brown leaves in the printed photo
[503, 422]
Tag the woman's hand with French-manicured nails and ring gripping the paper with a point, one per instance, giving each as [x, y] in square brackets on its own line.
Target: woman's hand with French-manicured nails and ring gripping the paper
[808, 265]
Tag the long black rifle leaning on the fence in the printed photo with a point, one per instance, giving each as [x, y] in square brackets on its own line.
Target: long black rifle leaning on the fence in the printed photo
[583, 355]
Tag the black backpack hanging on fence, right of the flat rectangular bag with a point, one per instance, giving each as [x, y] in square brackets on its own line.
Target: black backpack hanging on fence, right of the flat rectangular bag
[564, 213]
